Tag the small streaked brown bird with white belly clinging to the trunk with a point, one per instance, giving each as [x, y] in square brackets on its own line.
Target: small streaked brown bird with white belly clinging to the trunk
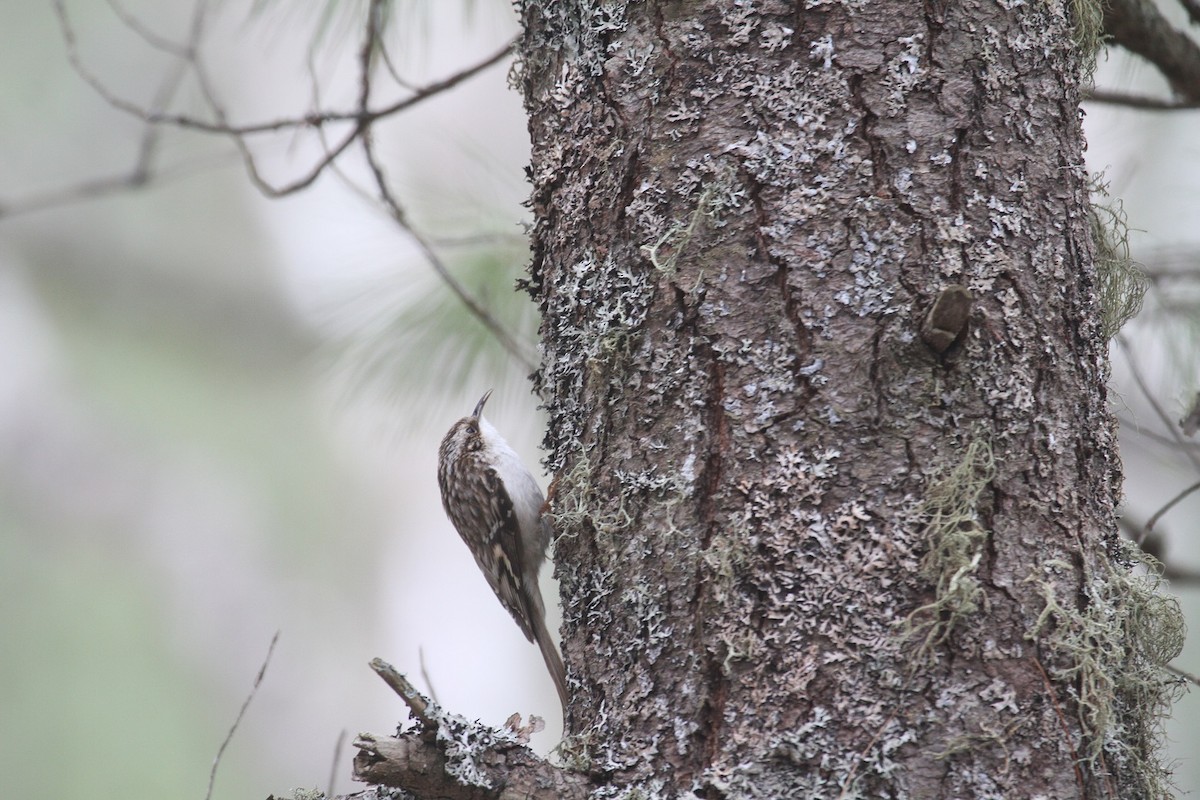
[497, 508]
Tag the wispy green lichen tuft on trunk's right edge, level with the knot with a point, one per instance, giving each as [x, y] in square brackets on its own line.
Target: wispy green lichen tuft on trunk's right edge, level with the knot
[1121, 285]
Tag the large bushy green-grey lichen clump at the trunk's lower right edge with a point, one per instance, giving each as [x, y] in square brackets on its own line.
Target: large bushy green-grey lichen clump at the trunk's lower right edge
[1108, 654]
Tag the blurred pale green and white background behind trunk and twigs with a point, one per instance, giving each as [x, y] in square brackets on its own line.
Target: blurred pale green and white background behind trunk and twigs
[189, 459]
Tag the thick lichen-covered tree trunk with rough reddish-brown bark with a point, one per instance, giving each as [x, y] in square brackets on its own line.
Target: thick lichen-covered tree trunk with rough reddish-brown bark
[830, 524]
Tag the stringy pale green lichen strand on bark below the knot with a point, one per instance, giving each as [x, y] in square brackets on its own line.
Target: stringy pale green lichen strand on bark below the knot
[957, 539]
